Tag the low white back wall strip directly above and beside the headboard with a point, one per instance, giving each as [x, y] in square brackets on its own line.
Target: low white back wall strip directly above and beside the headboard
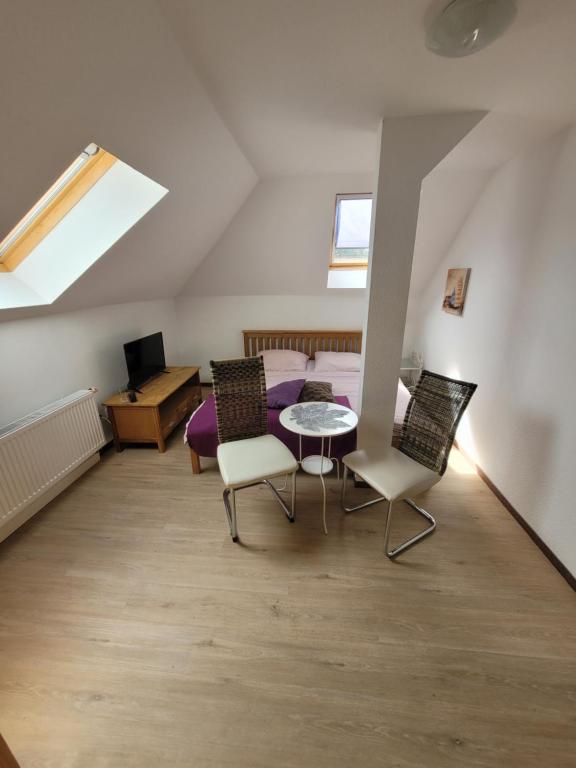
[211, 327]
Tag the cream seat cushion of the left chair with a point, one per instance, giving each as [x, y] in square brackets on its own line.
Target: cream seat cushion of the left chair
[246, 461]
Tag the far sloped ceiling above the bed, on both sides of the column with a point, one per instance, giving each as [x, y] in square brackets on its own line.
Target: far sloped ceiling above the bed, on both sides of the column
[278, 243]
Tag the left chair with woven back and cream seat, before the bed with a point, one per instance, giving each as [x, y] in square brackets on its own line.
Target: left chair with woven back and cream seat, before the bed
[247, 454]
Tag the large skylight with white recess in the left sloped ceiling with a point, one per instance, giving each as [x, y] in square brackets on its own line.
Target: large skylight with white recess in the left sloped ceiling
[95, 201]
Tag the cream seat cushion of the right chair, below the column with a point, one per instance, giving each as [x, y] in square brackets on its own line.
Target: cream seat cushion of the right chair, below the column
[392, 473]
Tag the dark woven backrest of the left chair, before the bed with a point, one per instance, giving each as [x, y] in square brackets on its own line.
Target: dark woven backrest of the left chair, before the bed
[240, 397]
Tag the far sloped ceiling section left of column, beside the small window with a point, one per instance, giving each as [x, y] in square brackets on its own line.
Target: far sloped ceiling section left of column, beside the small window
[279, 242]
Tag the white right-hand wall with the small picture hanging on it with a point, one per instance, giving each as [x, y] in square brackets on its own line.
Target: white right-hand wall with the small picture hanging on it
[516, 337]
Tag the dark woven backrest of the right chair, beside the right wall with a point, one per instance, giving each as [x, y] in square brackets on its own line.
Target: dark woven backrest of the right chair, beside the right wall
[432, 417]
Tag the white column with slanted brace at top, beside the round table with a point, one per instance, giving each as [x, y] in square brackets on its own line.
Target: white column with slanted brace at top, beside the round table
[410, 147]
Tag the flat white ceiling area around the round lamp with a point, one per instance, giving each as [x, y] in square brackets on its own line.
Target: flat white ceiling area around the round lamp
[302, 84]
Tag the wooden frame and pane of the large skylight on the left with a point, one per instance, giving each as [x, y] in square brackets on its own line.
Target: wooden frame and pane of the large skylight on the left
[68, 189]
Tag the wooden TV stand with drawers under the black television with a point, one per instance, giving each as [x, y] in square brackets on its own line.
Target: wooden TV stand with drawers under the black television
[165, 400]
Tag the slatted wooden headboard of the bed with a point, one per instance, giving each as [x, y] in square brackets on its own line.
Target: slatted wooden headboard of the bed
[308, 342]
